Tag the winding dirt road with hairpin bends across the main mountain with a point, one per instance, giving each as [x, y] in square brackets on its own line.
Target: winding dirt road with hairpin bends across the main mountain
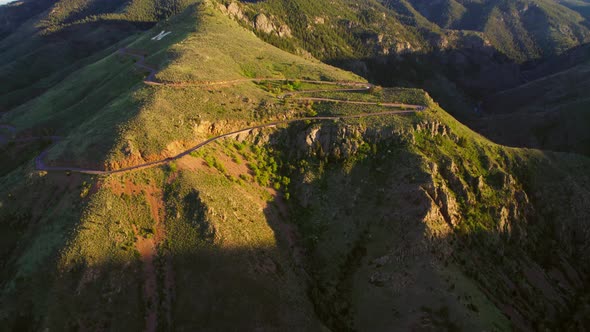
[150, 79]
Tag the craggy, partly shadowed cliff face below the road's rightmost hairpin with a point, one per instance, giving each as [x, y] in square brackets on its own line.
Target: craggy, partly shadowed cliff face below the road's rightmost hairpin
[420, 212]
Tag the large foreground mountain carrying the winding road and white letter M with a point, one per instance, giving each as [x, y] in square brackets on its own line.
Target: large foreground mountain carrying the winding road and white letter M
[189, 175]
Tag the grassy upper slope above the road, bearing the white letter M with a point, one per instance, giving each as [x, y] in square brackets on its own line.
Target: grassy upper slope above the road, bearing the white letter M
[105, 101]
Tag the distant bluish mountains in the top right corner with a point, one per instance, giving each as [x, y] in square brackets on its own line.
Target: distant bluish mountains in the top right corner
[519, 29]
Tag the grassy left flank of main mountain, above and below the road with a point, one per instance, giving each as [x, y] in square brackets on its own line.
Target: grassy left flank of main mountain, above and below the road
[105, 103]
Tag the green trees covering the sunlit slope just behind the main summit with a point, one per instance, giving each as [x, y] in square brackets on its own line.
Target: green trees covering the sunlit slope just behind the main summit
[342, 33]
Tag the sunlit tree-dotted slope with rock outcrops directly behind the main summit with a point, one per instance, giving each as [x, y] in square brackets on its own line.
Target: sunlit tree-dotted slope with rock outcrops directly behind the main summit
[337, 30]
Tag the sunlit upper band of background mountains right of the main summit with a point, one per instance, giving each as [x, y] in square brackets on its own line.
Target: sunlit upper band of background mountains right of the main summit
[520, 30]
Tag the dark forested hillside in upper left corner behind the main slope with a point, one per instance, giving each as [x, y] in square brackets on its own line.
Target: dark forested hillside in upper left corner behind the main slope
[43, 42]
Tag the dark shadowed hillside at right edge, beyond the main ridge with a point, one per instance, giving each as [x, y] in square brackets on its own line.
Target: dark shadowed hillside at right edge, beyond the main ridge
[549, 113]
